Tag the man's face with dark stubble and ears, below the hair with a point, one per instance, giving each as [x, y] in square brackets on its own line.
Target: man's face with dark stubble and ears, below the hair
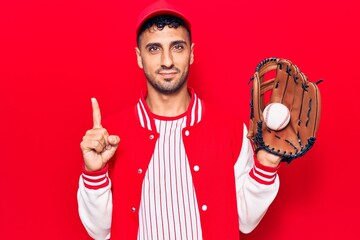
[165, 56]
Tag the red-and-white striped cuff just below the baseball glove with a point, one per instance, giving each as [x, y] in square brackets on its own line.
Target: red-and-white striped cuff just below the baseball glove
[263, 174]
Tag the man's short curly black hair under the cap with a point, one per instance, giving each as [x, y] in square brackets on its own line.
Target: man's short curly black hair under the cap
[160, 22]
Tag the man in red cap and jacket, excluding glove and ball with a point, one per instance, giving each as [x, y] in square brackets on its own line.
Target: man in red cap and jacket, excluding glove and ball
[183, 169]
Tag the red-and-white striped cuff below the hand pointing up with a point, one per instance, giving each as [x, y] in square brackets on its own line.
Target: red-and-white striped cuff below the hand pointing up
[97, 179]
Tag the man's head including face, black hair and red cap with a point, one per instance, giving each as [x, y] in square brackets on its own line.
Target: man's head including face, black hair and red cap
[164, 50]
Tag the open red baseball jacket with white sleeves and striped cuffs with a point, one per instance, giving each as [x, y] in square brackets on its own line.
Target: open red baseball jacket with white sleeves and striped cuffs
[232, 192]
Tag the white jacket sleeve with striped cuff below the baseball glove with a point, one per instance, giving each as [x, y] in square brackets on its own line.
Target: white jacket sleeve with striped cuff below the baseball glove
[256, 187]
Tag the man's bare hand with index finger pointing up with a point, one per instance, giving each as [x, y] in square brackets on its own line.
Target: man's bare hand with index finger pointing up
[97, 145]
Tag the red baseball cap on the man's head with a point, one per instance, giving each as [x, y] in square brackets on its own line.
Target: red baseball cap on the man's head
[161, 7]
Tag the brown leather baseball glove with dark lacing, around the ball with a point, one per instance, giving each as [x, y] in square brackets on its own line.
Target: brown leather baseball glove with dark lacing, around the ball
[291, 88]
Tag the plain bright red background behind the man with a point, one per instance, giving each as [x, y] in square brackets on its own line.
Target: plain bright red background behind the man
[56, 55]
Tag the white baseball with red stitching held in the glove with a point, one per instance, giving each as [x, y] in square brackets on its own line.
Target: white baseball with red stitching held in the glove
[276, 116]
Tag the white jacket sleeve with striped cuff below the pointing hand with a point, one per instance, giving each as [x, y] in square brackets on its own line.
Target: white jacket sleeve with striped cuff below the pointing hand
[95, 203]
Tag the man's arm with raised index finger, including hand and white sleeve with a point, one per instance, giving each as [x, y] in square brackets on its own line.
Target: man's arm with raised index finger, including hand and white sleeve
[94, 194]
